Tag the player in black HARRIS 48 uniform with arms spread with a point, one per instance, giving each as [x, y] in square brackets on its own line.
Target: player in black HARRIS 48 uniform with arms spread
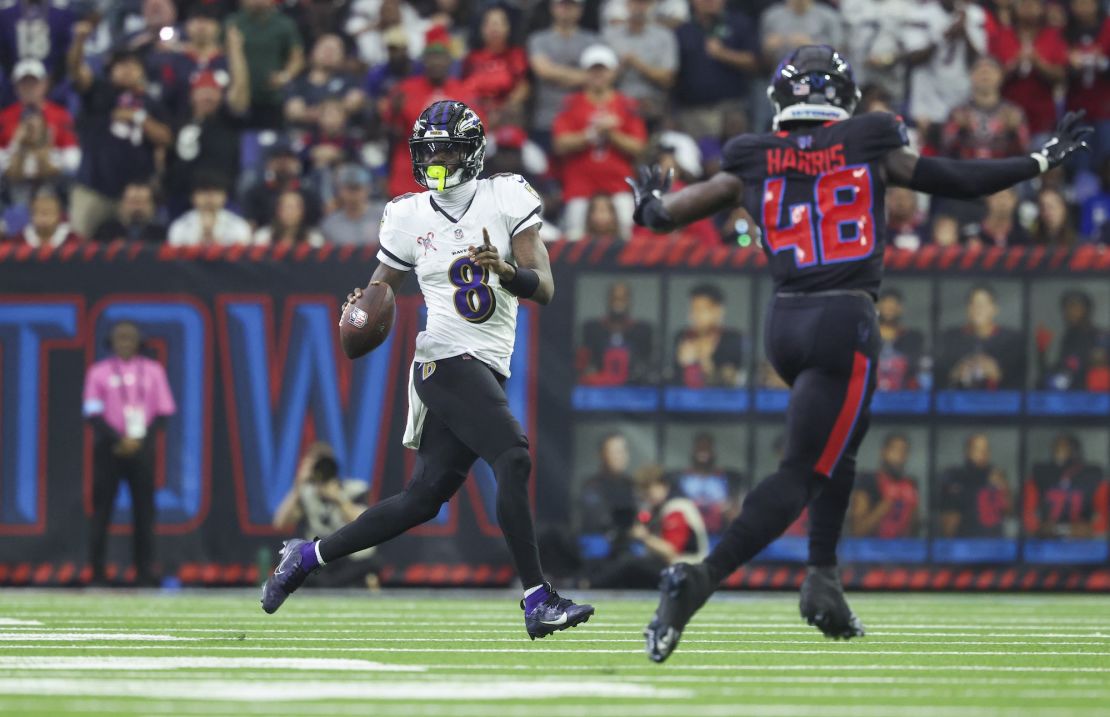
[816, 185]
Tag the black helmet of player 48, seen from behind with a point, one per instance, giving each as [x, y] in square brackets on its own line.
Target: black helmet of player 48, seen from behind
[814, 84]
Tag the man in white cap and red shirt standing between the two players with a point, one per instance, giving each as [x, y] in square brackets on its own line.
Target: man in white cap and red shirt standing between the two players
[598, 137]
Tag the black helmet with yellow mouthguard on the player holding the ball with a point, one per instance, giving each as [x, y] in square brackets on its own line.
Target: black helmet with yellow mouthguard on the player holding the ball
[455, 133]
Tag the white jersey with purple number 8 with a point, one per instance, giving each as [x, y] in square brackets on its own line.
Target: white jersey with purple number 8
[468, 310]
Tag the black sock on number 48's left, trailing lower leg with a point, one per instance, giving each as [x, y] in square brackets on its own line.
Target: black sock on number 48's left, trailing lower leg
[768, 512]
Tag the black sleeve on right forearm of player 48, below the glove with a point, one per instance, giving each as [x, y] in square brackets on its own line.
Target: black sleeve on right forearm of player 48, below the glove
[968, 179]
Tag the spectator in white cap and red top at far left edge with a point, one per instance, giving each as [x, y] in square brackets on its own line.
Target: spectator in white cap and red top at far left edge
[37, 142]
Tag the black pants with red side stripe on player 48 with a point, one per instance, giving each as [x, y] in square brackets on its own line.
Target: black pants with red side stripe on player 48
[825, 346]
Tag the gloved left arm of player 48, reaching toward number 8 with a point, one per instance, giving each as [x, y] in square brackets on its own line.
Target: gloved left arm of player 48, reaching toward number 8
[662, 213]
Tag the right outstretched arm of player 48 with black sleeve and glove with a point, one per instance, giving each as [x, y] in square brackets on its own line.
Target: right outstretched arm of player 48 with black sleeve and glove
[968, 179]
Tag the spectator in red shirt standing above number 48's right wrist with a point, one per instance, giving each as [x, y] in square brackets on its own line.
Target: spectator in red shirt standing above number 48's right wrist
[1034, 57]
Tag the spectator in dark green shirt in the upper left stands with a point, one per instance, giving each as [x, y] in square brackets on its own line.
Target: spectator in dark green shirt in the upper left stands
[275, 56]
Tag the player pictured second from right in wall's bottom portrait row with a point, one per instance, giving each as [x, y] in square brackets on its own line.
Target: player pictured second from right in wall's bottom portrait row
[976, 500]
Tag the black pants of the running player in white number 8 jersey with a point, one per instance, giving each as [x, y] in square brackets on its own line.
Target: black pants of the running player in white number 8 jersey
[468, 419]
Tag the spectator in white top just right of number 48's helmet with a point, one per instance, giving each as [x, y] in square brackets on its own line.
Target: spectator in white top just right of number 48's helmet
[873, 43]
